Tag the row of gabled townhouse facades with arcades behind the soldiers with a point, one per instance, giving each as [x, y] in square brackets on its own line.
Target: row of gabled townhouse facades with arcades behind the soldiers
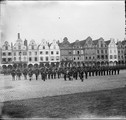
[88, 51]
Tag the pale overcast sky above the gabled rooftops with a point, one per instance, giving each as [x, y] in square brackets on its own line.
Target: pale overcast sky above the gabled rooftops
[56, 20]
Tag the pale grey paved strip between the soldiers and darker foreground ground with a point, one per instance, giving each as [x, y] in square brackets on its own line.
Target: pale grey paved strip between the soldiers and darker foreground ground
[25, 89]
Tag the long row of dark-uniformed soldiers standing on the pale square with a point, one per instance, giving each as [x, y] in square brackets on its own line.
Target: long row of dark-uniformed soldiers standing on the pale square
[68, 73]
